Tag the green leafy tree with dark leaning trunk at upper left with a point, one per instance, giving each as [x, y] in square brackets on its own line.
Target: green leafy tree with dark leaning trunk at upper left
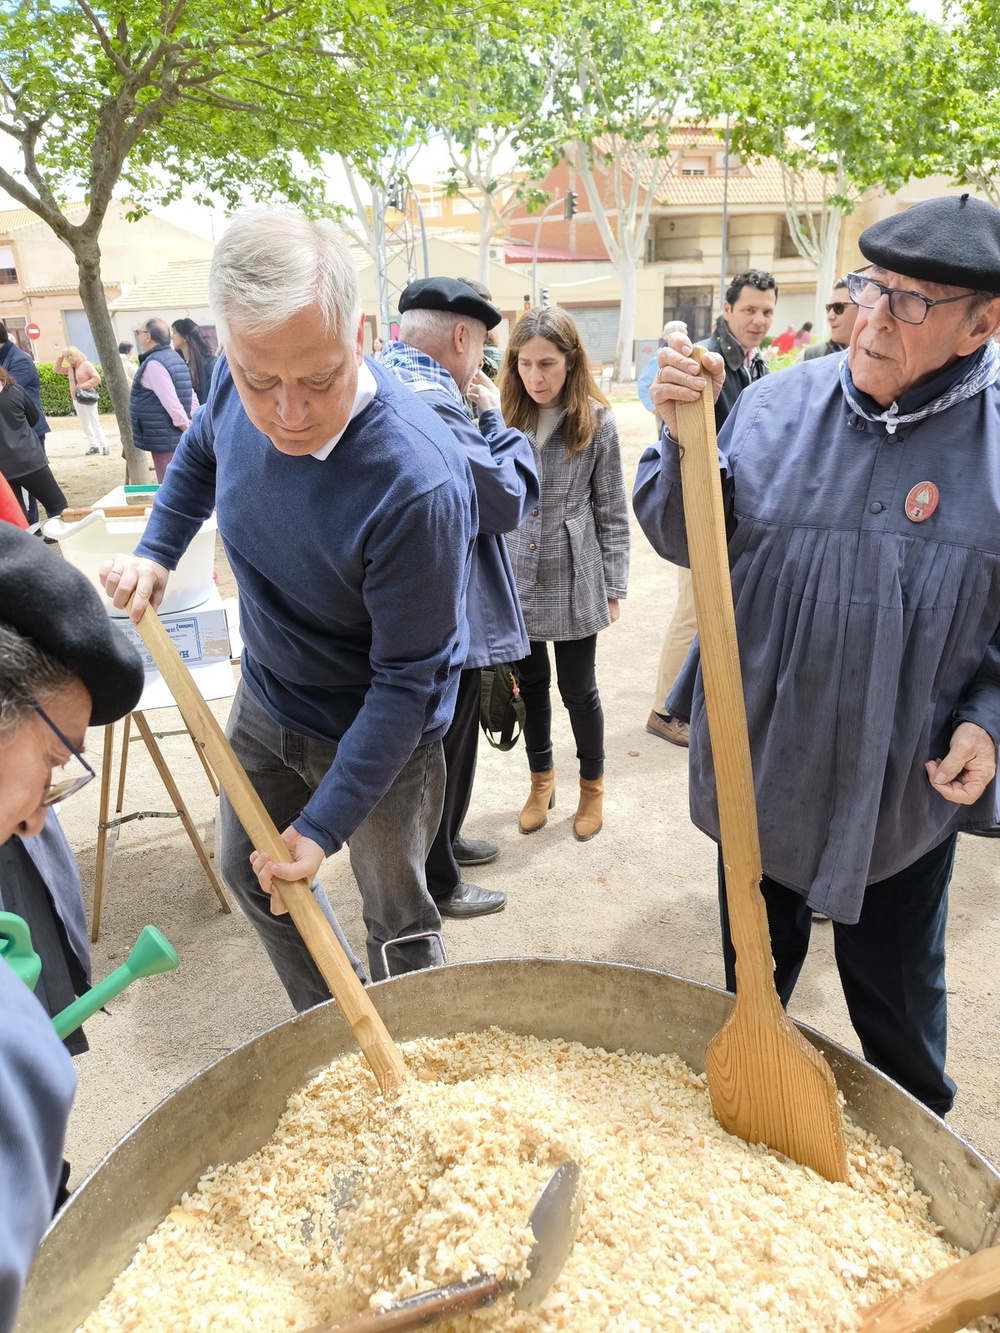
[229, 99]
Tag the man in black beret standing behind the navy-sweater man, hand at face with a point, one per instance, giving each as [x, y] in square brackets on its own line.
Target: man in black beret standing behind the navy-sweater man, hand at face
[439, 355]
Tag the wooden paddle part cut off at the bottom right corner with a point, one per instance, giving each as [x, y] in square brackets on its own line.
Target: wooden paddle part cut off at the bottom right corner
[945, 1303]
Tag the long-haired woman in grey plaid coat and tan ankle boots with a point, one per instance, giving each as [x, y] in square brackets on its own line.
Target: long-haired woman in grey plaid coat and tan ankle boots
[571, 557]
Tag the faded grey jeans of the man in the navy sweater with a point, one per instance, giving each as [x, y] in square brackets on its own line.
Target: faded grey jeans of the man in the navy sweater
[389, 851]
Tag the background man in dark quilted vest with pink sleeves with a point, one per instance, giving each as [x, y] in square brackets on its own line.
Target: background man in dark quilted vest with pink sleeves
[163, 401]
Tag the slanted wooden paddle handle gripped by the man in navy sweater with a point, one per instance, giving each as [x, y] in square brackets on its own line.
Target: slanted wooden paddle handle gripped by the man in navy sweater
[361, 1014]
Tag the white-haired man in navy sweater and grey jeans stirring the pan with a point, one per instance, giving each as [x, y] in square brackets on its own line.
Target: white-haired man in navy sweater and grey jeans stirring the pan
[349, 517]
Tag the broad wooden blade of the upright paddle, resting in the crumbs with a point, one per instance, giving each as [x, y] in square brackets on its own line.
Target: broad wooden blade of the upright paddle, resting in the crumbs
[770, 1086]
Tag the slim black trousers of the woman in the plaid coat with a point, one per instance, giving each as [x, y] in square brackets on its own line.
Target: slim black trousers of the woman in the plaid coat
[578, 687]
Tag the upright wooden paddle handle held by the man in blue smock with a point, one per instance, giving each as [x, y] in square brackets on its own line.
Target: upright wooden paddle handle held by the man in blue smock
[705, 519]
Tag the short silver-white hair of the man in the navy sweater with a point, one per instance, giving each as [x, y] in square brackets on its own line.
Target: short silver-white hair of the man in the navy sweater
[274, 263]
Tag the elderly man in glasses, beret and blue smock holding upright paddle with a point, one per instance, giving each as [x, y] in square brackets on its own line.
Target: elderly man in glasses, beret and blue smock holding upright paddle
[863, 498]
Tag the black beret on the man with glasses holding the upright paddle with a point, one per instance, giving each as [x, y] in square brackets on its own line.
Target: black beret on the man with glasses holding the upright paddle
[954, 241]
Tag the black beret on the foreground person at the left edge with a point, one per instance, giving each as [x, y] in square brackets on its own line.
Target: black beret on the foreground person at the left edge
[47, 601]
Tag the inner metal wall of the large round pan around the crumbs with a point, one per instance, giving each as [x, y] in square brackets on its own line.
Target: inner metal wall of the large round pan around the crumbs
[230, 1110]
